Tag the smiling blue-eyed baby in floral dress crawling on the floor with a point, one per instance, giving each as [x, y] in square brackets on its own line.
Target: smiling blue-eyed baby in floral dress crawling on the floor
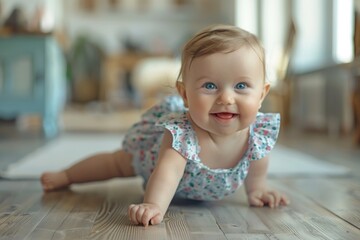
[203, 144]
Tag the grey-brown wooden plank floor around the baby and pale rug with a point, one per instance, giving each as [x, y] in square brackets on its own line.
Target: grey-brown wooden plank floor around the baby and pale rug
[321, 207]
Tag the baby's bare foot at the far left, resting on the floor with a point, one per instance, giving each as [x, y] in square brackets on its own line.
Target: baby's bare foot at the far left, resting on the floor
[54, 180]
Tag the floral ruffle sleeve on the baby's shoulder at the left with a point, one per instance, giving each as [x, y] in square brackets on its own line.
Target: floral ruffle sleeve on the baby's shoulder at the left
[184, 139]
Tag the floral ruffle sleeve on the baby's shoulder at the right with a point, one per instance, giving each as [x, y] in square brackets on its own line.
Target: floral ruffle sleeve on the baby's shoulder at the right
[264, 134]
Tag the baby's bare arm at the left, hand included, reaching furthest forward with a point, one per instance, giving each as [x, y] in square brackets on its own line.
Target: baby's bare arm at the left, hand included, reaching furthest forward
[161, 186]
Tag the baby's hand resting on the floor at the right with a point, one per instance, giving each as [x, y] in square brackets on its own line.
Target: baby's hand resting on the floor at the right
[272, 199]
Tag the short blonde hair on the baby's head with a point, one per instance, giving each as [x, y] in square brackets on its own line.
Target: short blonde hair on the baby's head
[219, 39]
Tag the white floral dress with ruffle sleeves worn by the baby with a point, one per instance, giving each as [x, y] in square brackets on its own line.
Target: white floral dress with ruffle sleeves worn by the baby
[199, 182]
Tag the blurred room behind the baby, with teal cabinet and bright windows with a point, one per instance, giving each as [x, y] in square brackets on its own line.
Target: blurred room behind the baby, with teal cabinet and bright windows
[96, 65]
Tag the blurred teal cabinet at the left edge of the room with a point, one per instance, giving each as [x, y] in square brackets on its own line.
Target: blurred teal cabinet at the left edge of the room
[32, 79]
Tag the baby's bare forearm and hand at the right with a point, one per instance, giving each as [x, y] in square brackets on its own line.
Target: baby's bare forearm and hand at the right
[256, 187]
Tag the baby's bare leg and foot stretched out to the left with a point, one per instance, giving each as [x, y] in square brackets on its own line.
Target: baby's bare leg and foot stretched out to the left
[95, 168]
